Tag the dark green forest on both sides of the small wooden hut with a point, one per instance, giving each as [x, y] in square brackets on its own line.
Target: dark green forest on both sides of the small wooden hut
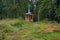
[17, 8]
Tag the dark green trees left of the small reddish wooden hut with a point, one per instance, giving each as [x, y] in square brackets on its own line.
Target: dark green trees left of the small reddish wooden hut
[13, 8]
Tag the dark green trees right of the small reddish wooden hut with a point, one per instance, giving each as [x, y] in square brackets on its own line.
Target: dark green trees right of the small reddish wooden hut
[49, 9]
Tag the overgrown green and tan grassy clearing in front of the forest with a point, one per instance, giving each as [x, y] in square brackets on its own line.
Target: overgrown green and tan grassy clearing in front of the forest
[21, 30]
